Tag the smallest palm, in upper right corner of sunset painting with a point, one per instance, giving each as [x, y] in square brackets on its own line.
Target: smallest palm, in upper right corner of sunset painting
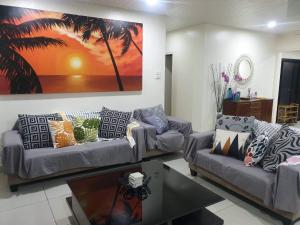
[123, 31]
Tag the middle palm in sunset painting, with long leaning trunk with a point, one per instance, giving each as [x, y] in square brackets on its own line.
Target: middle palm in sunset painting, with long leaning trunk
[89, 25]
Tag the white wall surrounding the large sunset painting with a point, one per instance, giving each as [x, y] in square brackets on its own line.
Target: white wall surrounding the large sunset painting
[153, 62]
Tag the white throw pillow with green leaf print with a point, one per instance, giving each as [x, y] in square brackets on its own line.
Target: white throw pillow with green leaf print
[86, 130]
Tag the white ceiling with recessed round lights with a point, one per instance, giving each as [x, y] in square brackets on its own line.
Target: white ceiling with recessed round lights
[246, 14]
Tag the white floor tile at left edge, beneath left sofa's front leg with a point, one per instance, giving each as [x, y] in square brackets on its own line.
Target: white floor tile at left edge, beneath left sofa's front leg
[29, 194]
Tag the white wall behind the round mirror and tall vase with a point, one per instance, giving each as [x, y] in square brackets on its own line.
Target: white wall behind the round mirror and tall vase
[213, 45]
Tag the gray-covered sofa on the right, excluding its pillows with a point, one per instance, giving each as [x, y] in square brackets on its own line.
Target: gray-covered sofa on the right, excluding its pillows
[278, 192]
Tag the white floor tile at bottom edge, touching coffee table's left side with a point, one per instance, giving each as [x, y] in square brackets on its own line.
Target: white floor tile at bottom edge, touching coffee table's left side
[61, 211]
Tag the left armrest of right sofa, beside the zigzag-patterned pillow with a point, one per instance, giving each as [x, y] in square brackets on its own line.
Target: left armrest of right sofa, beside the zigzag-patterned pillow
[197, 141]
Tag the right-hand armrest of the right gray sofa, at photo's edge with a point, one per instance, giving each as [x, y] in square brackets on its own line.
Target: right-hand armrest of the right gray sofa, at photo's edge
[286, 195]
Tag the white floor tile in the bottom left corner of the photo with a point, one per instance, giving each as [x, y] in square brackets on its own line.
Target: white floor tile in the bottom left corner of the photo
[36, 214]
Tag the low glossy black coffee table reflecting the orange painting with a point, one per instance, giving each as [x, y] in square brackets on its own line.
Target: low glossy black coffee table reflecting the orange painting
[167, 197]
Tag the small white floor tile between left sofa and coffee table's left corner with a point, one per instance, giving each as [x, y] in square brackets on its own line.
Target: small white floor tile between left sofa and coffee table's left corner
[56, 188]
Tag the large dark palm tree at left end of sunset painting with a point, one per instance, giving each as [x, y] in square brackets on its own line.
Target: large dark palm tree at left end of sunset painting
[16, 36]
